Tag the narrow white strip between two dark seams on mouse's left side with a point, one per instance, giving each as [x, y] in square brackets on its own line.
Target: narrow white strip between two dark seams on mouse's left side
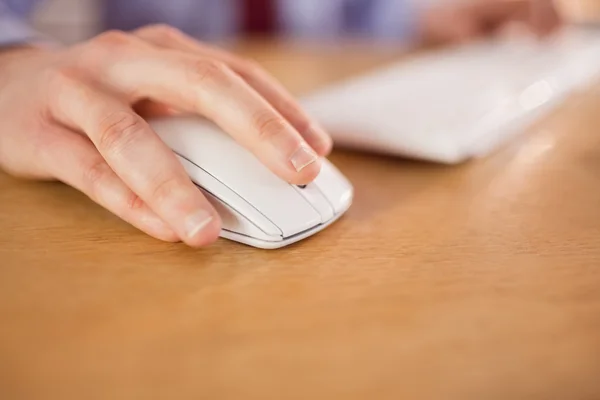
[228, 196]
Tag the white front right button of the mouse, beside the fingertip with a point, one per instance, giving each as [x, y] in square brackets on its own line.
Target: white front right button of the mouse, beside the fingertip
[335, 187]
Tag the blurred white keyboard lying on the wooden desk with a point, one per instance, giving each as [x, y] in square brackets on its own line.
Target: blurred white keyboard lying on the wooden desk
[460, 103]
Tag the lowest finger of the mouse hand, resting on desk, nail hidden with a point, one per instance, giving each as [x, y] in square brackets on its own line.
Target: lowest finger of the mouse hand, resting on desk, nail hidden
[72, 159]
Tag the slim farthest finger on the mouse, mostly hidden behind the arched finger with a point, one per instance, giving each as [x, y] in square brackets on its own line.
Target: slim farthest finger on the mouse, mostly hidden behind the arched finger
[256, 77]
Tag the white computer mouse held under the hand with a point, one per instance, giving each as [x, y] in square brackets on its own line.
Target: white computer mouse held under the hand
[257, 207]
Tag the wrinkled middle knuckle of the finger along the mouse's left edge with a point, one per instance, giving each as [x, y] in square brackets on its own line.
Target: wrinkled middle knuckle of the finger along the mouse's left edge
[119, 131]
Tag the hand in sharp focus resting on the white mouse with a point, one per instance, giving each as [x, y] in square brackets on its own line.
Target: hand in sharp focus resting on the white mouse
[75, 115]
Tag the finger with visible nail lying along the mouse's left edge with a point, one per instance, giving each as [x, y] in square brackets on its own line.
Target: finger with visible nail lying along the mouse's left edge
[140, 159]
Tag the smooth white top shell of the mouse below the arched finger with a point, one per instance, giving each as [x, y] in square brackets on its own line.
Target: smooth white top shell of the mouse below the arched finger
[223, 158]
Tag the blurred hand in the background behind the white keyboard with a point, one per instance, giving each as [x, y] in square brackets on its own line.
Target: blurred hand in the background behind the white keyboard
[464, 20]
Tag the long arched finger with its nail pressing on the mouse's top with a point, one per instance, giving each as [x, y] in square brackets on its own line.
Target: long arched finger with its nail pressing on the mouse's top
[209, 88]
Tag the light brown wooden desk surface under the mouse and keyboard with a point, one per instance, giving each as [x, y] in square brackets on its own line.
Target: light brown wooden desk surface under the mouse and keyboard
[475, 282]
